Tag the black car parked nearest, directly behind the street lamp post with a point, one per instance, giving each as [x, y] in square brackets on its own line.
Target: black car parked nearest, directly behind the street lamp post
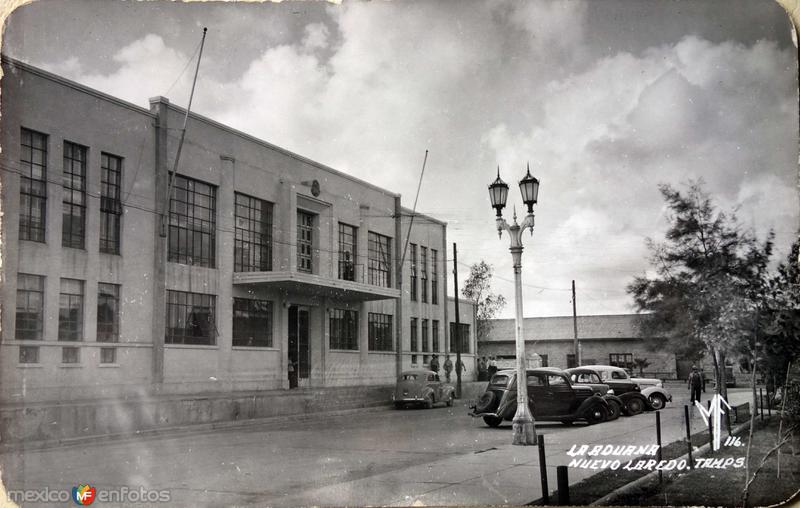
[551, 397]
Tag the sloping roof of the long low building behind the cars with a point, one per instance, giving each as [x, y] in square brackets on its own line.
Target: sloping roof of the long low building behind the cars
[619, 326]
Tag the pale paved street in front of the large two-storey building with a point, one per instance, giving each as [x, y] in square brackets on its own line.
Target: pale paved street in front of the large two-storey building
[382, 457]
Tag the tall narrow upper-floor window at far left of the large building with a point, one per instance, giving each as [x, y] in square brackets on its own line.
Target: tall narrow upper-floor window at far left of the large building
[33, 185]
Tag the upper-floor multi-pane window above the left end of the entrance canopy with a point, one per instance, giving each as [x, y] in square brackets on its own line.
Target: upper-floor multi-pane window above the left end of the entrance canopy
[252, 247]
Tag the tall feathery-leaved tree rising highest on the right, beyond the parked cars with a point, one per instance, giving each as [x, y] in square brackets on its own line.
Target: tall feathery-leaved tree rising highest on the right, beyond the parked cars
[709, 278]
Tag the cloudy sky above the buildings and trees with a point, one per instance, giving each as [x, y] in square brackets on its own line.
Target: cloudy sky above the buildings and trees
[604, 99]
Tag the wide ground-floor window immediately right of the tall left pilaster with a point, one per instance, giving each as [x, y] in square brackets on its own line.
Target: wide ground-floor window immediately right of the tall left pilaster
[190, 318]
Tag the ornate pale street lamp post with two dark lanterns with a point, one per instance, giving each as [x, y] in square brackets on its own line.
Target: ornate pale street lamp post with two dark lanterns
[523, 424]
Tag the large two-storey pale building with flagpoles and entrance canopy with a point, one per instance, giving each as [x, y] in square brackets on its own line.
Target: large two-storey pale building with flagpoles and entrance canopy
[247, 267]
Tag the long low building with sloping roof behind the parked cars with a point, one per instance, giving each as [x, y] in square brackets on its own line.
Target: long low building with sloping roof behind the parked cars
[603, 340]
